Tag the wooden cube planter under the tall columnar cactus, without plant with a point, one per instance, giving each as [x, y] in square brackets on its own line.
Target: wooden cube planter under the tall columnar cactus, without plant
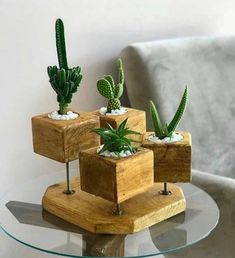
[63, 140]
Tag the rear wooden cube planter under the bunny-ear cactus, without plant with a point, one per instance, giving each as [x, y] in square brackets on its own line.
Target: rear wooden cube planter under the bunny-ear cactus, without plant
[136, 121]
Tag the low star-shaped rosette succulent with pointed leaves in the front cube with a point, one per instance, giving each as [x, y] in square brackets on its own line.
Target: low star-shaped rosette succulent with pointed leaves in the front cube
[115, 140]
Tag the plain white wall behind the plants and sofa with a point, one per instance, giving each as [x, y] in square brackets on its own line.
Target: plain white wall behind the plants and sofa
[96, 31]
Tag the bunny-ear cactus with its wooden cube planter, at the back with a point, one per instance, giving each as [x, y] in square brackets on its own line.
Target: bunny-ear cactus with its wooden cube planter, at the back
[114, 113]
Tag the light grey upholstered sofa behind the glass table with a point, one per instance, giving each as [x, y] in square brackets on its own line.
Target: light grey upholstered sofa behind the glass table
[159, 71]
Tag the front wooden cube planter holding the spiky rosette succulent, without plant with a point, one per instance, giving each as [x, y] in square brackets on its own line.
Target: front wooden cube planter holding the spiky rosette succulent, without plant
[116, 179]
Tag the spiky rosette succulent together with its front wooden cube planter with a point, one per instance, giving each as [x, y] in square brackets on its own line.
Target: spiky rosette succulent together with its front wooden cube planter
[116, 171]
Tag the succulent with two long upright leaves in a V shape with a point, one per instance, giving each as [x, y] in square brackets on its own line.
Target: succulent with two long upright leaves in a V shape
[165, 130]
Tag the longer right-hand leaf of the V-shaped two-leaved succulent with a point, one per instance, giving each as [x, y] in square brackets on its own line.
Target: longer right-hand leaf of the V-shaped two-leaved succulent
[179, 113]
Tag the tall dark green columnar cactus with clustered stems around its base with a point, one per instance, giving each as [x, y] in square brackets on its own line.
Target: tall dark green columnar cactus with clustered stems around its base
[64, 80]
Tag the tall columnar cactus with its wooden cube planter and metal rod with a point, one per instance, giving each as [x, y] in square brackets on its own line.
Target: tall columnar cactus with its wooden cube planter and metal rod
[62, 134]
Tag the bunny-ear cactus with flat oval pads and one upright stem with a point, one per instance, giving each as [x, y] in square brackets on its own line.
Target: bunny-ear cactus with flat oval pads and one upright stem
[107, 88]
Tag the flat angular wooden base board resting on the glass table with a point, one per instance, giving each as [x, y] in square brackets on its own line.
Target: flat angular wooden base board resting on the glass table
[96, 214]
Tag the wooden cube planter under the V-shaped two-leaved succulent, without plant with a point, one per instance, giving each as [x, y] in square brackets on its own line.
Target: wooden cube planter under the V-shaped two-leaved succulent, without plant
[172, 161]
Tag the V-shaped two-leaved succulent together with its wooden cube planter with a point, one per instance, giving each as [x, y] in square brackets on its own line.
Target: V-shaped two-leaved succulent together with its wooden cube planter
[172, 150]
